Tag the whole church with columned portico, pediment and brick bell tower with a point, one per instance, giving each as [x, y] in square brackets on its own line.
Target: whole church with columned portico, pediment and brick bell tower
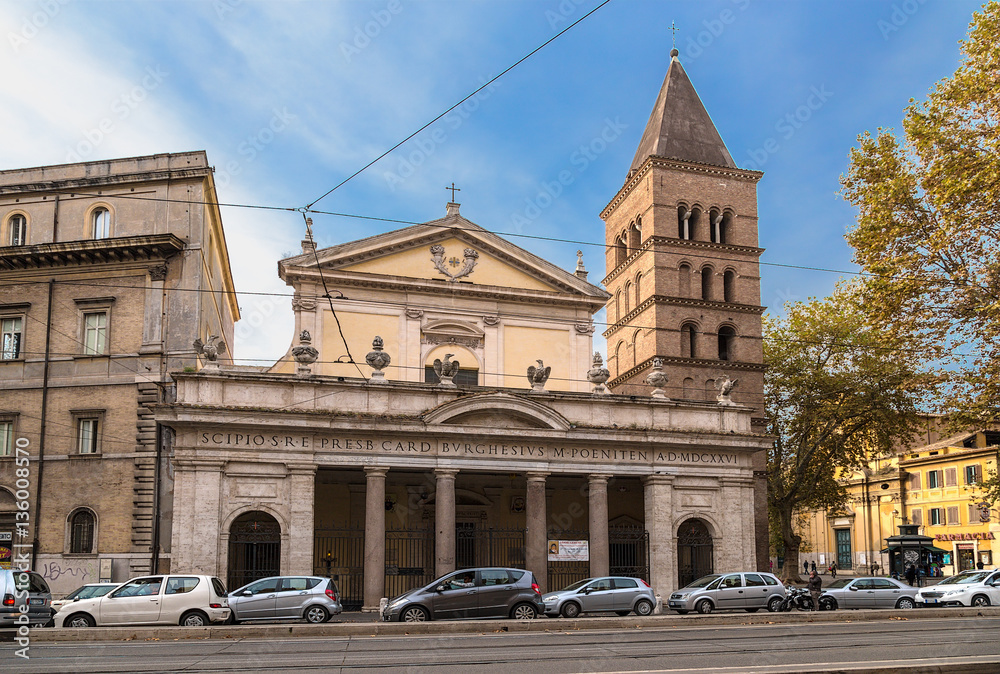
[441, 405]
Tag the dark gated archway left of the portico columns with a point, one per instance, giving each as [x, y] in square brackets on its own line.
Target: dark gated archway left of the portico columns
[254, 548]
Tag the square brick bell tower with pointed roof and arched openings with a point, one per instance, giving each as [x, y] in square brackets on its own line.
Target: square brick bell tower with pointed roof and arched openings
[683, 270]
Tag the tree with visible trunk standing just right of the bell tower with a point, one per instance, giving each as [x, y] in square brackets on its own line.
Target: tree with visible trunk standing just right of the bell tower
[838, 391]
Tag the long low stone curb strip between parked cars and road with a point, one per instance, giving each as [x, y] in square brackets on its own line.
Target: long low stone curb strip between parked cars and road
[377, 628]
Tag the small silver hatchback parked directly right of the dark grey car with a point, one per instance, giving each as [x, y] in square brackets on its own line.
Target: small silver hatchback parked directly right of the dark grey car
[610, 594]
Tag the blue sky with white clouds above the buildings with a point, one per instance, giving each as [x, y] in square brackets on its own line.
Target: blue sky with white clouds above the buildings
[290, 98]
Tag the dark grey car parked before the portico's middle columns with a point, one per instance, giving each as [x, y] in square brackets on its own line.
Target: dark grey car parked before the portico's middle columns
[470, 593]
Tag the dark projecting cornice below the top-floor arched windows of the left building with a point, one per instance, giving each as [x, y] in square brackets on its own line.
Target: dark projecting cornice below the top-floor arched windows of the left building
[91, 251]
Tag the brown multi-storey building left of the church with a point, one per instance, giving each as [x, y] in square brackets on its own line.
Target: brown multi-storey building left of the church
[109, 270]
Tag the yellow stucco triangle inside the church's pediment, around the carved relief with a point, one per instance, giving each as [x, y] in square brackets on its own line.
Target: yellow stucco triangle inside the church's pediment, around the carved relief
[417, 263]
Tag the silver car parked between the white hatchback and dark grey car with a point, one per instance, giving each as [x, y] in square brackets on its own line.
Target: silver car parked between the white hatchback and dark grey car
[310, 598]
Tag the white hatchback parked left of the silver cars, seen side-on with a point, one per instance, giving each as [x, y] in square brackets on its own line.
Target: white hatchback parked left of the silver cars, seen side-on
[175, 599]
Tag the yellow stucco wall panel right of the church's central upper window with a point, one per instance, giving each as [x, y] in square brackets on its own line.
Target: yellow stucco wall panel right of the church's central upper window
[523, 345]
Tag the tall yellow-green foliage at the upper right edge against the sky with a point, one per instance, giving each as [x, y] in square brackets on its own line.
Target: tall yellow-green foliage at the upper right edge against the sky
[928, 227]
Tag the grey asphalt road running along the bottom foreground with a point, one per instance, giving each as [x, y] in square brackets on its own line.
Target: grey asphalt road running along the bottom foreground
[941, 645]
